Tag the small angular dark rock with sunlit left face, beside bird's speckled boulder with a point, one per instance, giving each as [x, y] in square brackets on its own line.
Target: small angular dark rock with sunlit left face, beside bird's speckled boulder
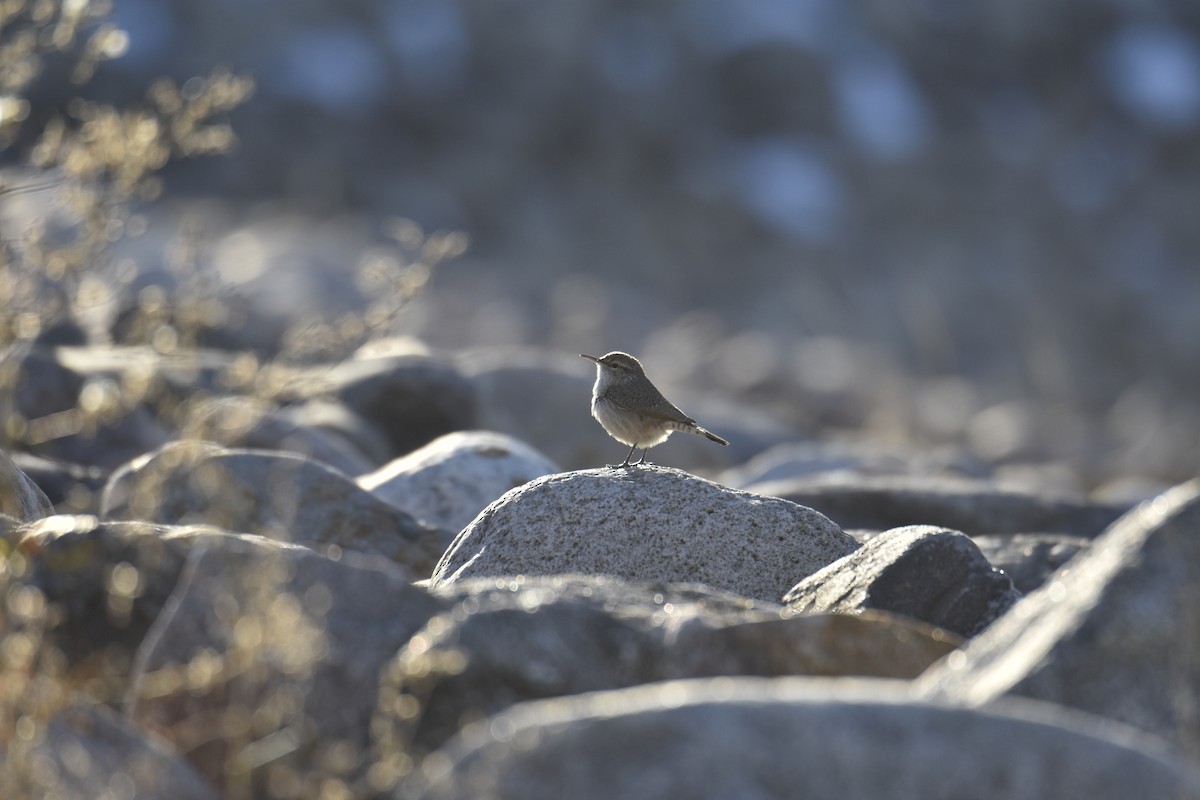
[929, 574]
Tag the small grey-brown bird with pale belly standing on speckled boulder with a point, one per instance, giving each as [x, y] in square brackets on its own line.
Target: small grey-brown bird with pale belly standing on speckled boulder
[633, 411]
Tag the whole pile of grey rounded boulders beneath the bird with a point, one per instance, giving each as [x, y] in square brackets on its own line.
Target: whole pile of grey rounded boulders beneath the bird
[443, 613]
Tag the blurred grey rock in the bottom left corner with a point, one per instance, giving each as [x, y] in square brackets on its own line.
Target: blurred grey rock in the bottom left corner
[88, 751]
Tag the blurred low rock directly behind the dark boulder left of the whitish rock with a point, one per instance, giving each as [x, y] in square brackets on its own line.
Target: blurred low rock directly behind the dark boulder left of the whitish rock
[250, 424]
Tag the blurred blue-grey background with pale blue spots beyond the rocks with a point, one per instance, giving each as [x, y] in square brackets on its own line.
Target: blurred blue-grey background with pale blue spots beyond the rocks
[932, 222]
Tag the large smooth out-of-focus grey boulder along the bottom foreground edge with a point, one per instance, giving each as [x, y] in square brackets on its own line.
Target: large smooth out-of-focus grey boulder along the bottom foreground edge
[796, 738]
